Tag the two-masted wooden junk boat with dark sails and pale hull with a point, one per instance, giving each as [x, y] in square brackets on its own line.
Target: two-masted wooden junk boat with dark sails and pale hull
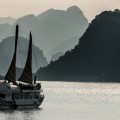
[24, 93]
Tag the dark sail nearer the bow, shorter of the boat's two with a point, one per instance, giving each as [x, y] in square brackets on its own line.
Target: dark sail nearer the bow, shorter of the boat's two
[27, 72]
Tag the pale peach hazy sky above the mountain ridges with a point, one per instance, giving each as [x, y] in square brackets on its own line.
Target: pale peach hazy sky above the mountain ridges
[18, 8]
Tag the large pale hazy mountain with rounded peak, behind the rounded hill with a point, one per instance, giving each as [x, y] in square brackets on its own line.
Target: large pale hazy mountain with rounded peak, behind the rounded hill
[51, 28]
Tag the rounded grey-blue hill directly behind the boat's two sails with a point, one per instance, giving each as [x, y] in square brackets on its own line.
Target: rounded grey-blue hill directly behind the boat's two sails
[7, 45]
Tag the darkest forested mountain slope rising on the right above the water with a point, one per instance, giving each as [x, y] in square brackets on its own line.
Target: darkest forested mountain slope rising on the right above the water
[95, 58]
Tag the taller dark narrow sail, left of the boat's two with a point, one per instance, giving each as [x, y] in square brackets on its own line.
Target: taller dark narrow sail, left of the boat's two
[11, 74]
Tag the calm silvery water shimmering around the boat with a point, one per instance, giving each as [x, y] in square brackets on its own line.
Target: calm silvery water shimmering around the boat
[73, 101]
